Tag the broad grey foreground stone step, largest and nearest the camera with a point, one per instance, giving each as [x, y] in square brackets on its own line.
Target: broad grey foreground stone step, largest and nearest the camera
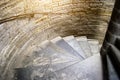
[74, 71]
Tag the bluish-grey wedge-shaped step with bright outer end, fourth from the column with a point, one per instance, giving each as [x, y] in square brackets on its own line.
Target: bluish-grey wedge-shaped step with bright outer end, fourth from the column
[64, 45]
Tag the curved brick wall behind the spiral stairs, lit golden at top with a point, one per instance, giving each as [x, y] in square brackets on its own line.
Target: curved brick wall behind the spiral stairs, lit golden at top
[25, 23]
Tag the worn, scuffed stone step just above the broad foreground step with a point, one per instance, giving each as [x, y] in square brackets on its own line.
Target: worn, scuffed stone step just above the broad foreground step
[48, 61]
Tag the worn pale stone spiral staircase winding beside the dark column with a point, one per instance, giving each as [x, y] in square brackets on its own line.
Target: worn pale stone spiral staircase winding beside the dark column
[64, 58]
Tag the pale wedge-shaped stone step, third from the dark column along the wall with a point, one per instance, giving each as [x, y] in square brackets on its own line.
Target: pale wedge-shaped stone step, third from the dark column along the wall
[74, 44]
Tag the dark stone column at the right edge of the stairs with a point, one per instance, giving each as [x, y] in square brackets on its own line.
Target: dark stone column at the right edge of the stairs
[111, 40]
